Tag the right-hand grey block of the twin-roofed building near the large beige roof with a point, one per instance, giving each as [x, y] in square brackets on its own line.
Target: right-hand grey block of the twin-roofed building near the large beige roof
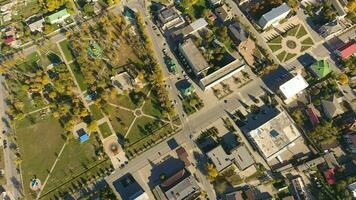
[242, 157]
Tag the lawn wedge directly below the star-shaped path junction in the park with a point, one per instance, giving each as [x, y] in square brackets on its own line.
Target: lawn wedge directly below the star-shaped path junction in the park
[138, 131]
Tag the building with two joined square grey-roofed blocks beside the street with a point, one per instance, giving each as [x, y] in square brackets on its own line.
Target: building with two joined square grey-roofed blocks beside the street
[239, 156]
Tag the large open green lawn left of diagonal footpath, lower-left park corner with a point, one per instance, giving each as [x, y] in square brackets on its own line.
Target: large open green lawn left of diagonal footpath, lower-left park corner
[39, 145]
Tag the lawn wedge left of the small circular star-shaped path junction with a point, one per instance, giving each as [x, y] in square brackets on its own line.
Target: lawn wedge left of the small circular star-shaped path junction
[119, 118]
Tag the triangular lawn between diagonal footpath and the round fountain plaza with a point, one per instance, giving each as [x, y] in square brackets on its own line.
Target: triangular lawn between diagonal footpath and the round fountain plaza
[76, 158]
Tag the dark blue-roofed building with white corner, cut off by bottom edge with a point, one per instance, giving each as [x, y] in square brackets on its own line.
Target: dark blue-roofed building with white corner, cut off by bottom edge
[128, 189]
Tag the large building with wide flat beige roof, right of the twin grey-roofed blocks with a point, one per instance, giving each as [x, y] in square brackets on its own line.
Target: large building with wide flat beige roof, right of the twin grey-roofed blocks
[276, 136]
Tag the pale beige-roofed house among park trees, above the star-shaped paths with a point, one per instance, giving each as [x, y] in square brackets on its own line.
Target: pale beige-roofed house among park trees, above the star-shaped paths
[123, 82]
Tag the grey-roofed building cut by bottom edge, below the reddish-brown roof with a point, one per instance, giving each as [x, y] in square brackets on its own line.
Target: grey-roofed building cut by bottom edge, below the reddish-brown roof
[178, 186]
